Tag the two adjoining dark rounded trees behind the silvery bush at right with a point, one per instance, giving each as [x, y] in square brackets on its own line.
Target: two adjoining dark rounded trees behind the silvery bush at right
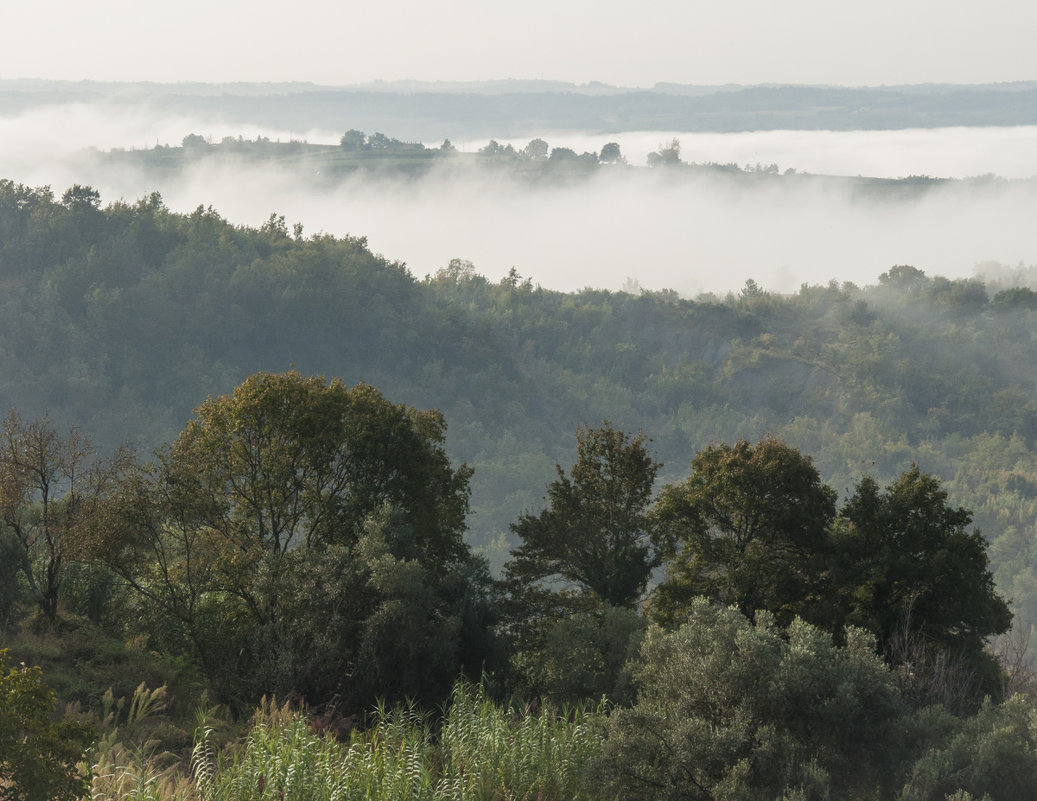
[755, 528]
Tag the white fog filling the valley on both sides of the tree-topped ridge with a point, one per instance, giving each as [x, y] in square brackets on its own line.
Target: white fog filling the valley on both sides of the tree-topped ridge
[706, 234]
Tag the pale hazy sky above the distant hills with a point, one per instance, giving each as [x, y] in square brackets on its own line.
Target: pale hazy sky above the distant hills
[878, 42]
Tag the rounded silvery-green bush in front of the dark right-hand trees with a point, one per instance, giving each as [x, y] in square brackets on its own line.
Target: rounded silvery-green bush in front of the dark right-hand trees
[732, 709]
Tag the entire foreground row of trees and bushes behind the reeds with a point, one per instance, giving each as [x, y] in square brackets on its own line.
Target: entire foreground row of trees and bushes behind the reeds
[304, 538]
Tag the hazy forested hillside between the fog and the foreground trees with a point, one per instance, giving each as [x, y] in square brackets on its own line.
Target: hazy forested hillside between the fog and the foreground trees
[122, 318]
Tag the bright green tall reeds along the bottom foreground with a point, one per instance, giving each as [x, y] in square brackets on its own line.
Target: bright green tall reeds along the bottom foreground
[482, 753]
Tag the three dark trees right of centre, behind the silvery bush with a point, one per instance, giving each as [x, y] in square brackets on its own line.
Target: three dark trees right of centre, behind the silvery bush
[753, 529]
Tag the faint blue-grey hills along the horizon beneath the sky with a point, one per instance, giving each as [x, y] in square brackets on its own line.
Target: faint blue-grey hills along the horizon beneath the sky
[513, 109]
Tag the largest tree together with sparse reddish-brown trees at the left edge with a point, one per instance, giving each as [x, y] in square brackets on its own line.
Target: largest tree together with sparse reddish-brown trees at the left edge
[298, 538]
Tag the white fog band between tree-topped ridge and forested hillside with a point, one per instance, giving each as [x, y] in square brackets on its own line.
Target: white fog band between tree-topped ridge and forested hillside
[707, 234]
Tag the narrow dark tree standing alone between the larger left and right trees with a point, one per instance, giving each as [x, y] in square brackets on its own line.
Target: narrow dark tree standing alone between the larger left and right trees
[583, 561]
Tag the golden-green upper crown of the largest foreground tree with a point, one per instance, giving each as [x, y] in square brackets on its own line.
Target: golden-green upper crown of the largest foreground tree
[288, 461]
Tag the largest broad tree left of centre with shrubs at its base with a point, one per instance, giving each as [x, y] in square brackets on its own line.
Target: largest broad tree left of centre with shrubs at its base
[267, 501]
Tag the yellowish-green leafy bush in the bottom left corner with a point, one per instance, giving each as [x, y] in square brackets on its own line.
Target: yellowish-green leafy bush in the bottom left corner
[39, 756]
